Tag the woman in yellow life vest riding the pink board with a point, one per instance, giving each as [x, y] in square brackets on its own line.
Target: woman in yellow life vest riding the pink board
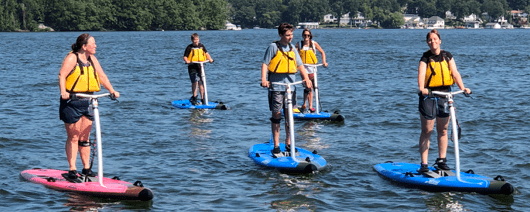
[80, 73]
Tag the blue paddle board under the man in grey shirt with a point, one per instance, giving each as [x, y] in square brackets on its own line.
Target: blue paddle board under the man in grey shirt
[306, 161]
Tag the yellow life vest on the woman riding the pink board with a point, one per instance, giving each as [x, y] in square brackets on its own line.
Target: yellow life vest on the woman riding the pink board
[83, 78]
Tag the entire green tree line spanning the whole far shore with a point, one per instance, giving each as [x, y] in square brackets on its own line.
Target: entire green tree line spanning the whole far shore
[96, 15]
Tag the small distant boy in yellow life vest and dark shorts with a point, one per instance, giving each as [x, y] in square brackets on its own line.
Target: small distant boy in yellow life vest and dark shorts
[196, 52]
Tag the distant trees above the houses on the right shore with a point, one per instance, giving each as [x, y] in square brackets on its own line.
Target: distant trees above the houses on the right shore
[387, 13]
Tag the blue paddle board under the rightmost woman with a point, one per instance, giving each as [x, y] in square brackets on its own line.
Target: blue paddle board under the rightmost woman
[438, 180]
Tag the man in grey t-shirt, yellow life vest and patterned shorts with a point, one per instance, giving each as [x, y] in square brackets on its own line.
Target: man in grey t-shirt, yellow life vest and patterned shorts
[280, 64]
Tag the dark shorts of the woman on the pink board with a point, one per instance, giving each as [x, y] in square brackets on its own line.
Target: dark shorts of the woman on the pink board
[71, 110]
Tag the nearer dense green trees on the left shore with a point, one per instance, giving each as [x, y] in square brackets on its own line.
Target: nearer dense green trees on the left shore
[97, 15]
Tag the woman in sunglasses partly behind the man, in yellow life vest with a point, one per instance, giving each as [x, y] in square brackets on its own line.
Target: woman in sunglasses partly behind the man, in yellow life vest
[307, 49]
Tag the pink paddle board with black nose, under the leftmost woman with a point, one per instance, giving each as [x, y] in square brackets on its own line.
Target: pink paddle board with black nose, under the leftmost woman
[114, 188]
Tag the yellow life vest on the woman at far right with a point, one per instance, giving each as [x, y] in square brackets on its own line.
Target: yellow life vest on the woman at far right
[438, 73]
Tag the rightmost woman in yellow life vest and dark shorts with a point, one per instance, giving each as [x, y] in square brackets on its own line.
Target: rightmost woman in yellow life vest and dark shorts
[436, 72]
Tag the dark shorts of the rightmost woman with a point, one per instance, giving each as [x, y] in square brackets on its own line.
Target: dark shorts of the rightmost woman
[432, 107]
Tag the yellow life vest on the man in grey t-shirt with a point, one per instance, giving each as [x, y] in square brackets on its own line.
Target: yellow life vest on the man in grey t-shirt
[283, 62]
